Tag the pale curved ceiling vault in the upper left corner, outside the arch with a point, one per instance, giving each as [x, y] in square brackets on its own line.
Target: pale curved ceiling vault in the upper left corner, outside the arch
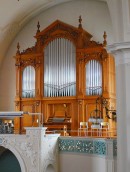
[15, 14]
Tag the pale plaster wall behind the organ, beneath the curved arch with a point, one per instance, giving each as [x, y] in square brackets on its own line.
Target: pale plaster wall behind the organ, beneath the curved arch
[96, 20]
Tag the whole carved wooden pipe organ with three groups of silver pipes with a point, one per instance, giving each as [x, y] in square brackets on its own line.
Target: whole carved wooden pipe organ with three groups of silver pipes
[61, 77]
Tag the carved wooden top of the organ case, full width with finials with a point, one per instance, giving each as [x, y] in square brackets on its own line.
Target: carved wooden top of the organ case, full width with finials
[58, 29]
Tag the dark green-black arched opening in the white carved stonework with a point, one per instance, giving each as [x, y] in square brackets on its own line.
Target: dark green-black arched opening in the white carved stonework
[8, 161]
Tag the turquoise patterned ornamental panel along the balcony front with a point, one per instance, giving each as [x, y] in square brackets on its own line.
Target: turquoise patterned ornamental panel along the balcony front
[86, 146]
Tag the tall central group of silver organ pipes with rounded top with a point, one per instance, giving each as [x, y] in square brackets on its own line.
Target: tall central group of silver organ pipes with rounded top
[60, 68]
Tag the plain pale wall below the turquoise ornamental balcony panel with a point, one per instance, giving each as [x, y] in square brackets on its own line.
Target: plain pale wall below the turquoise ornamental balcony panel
[84, 163]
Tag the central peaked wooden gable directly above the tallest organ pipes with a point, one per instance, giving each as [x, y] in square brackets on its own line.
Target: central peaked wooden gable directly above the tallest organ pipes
[59, 29]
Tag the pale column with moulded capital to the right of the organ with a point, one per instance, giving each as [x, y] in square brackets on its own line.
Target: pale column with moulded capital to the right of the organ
[121, 51]
